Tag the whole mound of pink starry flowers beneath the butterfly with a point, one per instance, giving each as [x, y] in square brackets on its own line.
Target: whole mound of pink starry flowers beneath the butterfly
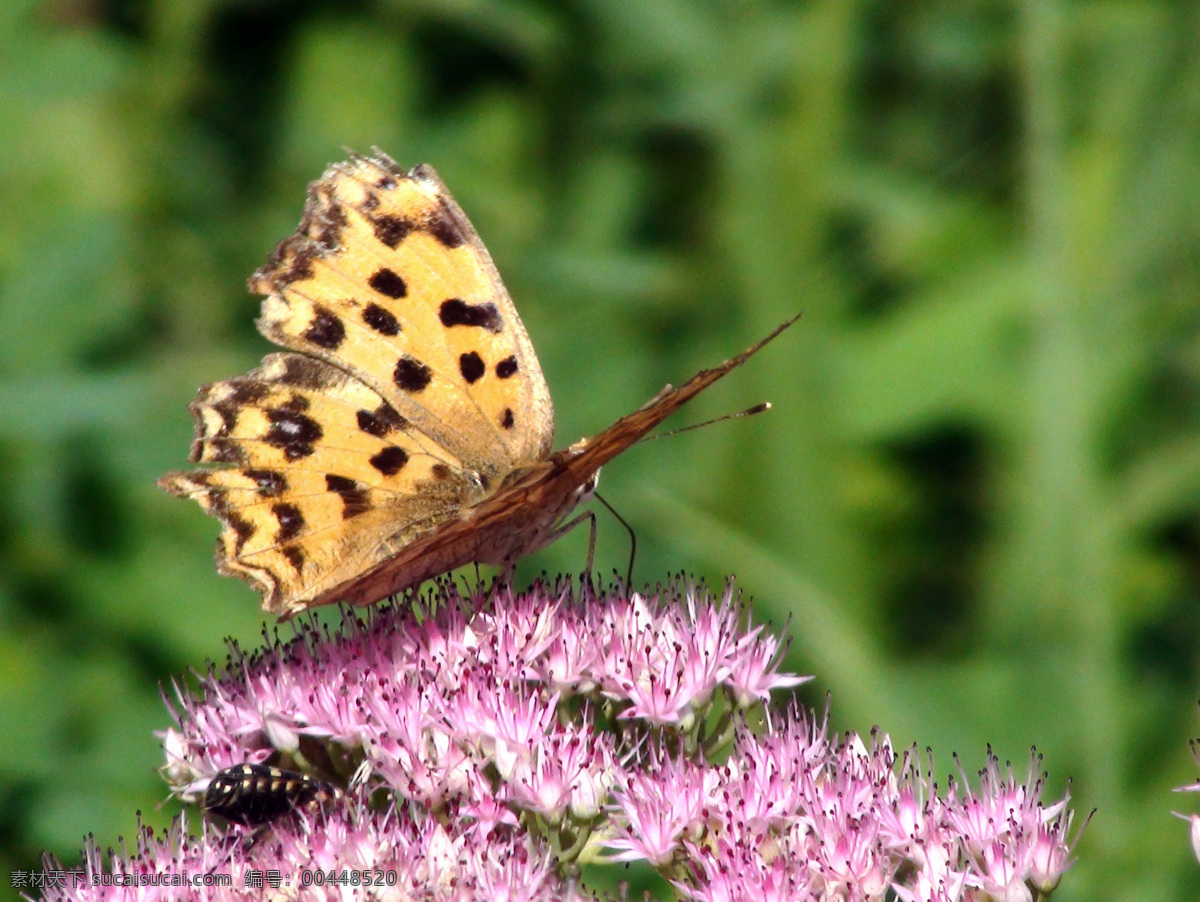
[494, 745]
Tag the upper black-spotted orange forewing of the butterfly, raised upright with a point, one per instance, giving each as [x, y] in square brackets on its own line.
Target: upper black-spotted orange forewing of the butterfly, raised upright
[388, 281]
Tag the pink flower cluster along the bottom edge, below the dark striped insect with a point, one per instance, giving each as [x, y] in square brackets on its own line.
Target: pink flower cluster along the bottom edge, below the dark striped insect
[352, 853]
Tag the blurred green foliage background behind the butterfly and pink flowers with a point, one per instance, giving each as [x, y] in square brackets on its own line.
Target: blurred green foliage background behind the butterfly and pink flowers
[976, 498]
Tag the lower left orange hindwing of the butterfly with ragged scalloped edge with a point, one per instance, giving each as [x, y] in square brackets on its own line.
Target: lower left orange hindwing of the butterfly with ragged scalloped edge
[316, 461]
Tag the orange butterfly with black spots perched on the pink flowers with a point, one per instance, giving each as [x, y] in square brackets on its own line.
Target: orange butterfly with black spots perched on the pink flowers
[409, 429]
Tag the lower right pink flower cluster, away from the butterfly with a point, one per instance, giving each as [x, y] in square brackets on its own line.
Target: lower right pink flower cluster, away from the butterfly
[794, 815]
